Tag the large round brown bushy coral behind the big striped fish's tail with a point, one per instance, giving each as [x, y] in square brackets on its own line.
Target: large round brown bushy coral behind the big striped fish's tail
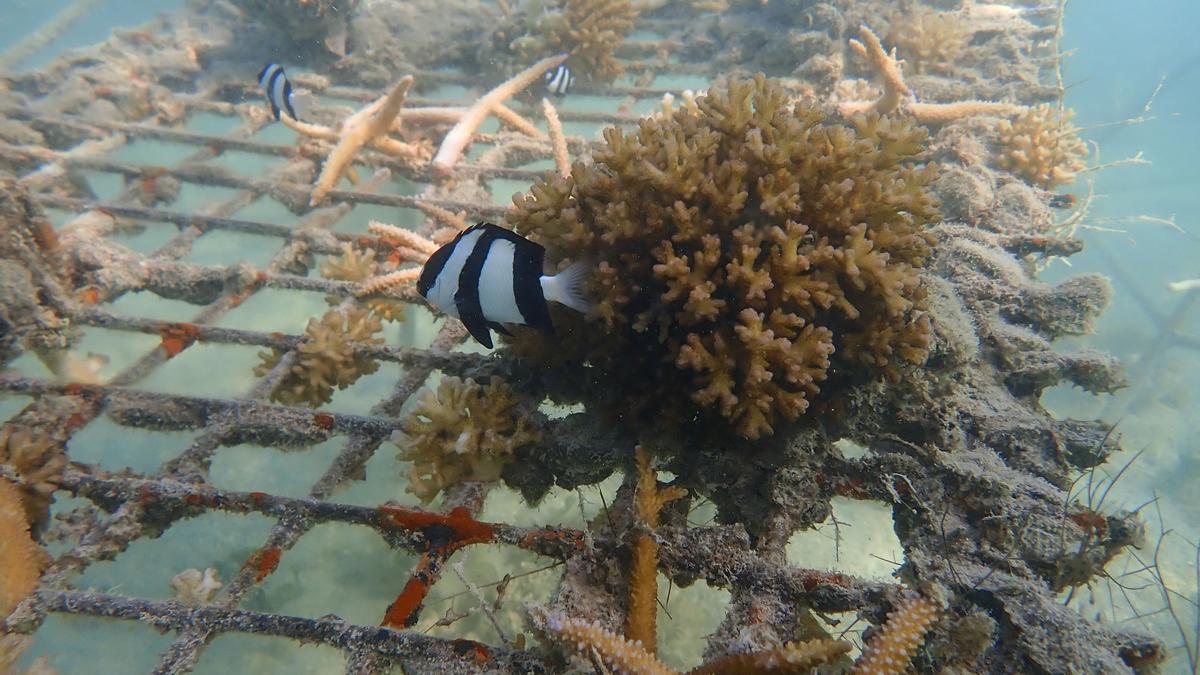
[741, 249]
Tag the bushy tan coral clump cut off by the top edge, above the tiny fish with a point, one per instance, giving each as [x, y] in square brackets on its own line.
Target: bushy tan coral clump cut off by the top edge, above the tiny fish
[591, 31]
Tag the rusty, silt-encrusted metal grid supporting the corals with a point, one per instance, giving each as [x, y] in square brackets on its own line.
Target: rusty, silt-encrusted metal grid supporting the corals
[139, 506]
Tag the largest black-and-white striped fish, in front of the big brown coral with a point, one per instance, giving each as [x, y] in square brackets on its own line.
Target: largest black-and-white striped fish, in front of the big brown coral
[489, 277]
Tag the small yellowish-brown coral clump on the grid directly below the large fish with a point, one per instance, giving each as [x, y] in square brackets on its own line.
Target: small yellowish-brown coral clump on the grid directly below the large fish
[463, 432]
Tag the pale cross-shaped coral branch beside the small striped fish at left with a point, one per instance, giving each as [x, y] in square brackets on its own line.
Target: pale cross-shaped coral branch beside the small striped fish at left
[367, 128]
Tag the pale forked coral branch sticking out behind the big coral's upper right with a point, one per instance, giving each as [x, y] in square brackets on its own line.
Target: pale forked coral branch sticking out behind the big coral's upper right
[898, 98]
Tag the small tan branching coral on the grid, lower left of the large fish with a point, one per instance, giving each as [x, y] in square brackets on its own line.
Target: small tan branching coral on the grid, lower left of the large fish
[325, 360]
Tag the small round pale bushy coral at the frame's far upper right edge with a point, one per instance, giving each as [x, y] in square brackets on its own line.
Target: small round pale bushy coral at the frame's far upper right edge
[1042, 147]
